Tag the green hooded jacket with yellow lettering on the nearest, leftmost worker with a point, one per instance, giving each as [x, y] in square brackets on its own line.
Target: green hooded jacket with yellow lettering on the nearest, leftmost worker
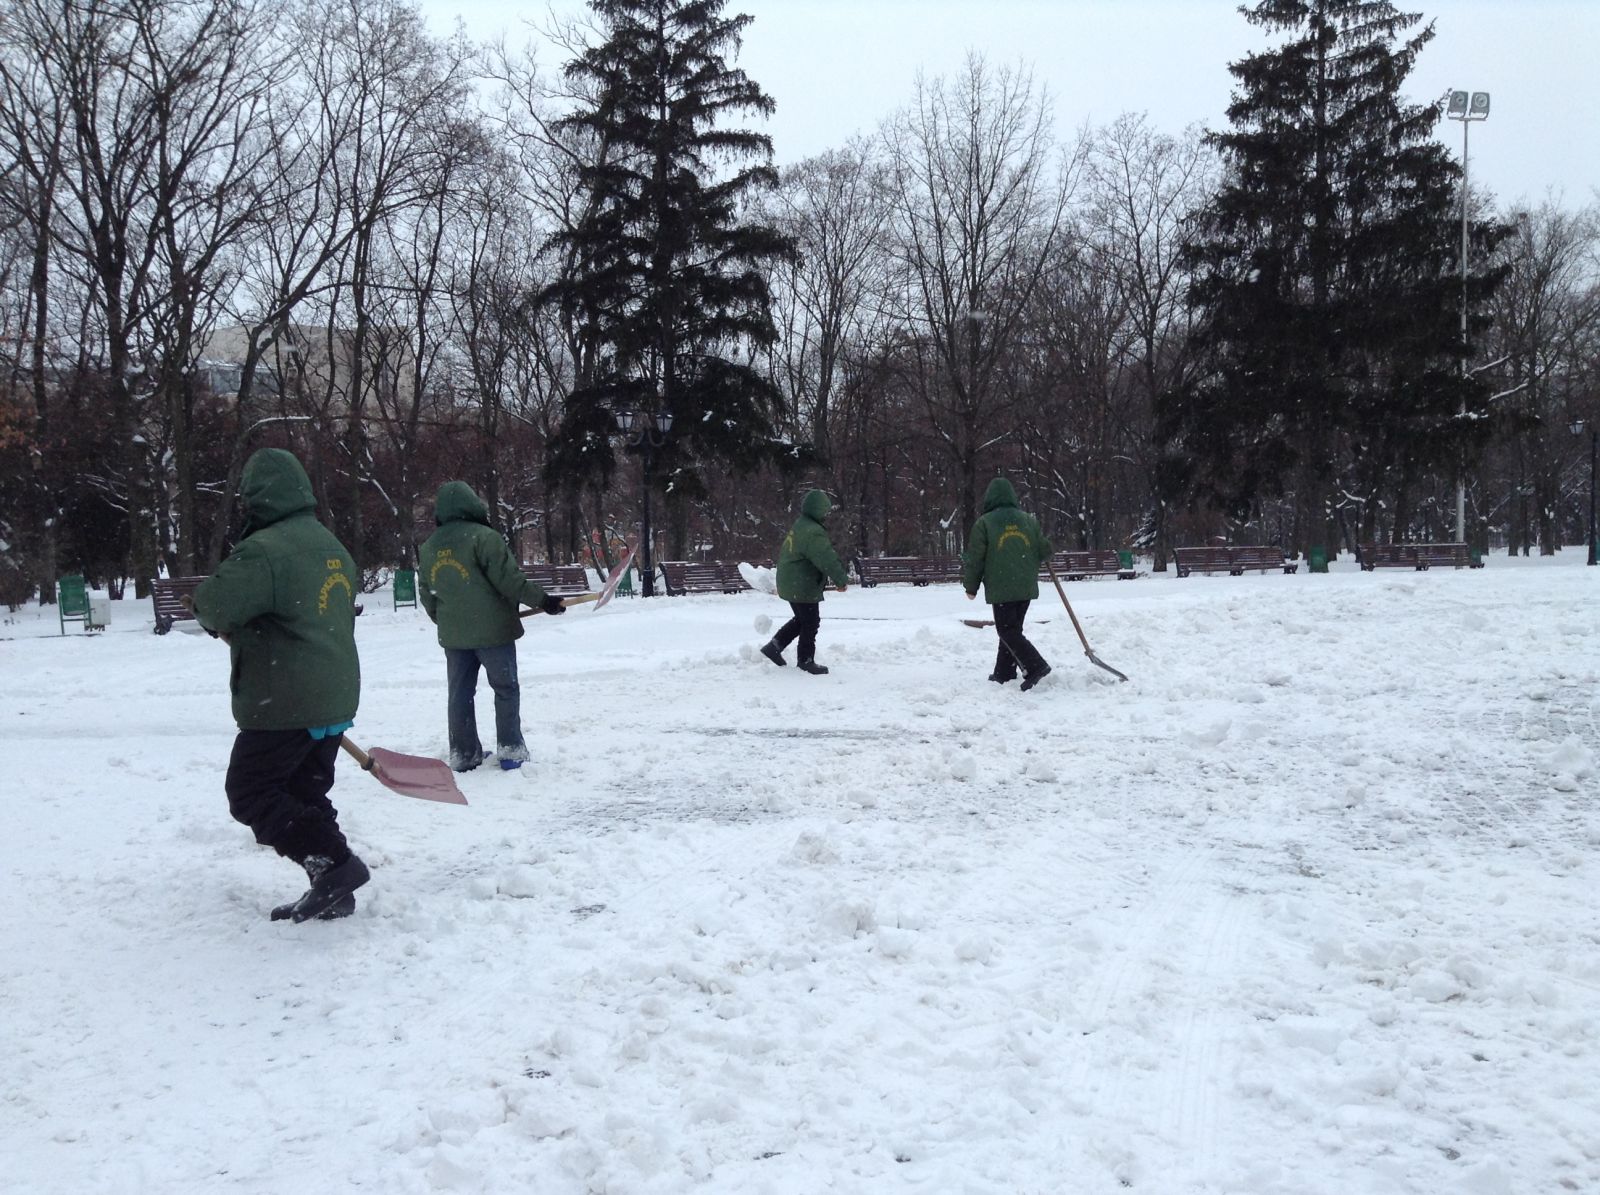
[286, 601]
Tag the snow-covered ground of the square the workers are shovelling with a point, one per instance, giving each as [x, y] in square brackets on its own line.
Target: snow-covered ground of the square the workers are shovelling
[1310, 906]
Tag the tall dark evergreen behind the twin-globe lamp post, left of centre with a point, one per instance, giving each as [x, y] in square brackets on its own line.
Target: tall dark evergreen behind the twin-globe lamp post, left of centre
[668, 287]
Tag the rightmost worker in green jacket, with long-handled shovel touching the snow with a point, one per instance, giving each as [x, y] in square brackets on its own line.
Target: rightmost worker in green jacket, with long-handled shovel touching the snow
[1004, 553]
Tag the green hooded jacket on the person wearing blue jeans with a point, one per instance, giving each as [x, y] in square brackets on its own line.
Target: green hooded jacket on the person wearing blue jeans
[470, 582]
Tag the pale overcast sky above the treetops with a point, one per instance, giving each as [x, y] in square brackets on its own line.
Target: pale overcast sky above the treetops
[838, 68]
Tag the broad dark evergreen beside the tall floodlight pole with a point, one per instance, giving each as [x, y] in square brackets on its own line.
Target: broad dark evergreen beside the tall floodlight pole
[1327, 279]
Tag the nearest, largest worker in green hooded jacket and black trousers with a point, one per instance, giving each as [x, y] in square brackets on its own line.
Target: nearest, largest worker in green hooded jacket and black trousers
[286, 604]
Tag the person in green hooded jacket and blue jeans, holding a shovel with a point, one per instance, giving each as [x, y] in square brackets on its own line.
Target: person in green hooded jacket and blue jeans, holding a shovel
[471, 586]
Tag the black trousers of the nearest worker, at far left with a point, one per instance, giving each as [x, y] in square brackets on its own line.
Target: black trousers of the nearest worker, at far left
[278, 785]
